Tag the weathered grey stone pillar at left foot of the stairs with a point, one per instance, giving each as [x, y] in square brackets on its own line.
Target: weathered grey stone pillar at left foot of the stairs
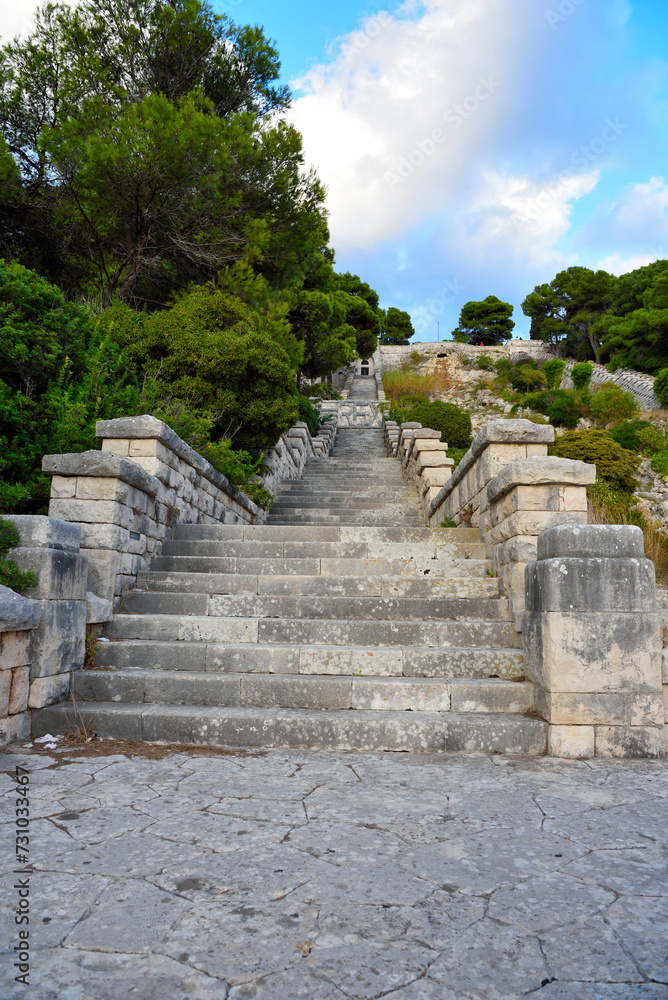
[50, 548]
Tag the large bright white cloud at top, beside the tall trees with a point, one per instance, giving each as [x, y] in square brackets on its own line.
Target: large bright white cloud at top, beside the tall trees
[397, 119]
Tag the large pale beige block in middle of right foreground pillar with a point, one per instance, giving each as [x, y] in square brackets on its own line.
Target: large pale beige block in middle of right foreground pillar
[589, 653]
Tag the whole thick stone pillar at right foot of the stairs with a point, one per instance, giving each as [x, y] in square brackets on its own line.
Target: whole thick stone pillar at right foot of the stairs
[592, 637]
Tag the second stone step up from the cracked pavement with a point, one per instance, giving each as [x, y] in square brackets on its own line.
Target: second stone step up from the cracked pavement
[315, 691]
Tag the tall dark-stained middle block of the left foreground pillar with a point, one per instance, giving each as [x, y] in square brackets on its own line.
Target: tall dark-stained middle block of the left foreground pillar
[59, 641]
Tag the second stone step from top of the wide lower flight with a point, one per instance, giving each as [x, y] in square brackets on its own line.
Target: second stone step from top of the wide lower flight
[372, 549]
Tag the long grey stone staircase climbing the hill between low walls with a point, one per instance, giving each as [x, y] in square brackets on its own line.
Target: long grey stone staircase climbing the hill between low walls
[343, 623]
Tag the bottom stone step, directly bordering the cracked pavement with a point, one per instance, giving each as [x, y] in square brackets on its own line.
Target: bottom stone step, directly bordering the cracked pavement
[454, 732]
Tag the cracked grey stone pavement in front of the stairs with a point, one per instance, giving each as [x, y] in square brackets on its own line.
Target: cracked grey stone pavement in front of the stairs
[285, 875]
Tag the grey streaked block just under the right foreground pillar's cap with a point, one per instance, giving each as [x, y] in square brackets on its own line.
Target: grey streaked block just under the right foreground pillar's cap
[591, 584]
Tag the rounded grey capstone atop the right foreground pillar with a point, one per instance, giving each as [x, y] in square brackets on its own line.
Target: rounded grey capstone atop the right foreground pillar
[589, 541]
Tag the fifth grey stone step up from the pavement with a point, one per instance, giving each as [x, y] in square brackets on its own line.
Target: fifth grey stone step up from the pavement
[395, 609]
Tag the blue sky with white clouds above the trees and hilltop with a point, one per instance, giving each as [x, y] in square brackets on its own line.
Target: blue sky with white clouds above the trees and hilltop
[476, 147]
